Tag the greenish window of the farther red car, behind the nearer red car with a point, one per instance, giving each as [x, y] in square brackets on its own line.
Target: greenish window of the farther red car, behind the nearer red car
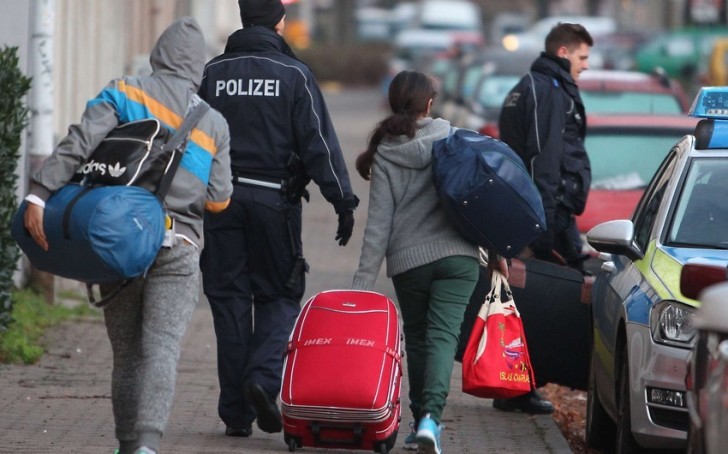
[602, 102]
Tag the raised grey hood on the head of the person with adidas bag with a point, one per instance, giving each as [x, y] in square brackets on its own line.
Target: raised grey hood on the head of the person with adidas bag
[180, 50]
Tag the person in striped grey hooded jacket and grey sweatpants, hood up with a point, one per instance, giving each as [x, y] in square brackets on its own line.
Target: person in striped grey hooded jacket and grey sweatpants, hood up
[145, 322]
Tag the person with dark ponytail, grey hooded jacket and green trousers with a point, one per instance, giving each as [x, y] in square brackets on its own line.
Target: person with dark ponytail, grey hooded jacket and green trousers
[434, 270]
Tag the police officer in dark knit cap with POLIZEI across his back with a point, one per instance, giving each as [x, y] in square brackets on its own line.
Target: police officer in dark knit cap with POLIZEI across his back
[253, 266]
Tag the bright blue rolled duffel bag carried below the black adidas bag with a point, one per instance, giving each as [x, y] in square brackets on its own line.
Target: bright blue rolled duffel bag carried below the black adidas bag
[96, 235]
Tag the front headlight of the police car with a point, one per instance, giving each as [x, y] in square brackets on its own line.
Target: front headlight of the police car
[672, 323]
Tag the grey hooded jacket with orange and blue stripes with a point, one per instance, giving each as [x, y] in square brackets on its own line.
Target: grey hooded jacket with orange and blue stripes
[177, 60]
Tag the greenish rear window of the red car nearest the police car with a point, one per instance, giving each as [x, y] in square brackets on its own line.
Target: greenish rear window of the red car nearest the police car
[622, 160]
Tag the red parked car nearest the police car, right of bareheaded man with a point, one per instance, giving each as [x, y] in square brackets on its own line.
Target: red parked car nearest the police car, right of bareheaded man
[625, 151]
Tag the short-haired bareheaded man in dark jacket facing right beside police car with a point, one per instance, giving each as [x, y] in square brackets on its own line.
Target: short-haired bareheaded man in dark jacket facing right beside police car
[544, 121]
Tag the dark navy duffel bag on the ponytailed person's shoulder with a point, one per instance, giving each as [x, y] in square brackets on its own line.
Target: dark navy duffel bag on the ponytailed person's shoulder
[487, 192]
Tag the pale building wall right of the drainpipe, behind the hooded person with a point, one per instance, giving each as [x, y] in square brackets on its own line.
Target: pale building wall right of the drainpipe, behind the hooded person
[97, 40]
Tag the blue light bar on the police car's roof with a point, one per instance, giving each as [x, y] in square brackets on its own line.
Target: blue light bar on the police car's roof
[711, 104]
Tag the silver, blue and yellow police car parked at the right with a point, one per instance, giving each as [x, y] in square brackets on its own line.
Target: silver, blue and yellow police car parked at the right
[641, 322]
